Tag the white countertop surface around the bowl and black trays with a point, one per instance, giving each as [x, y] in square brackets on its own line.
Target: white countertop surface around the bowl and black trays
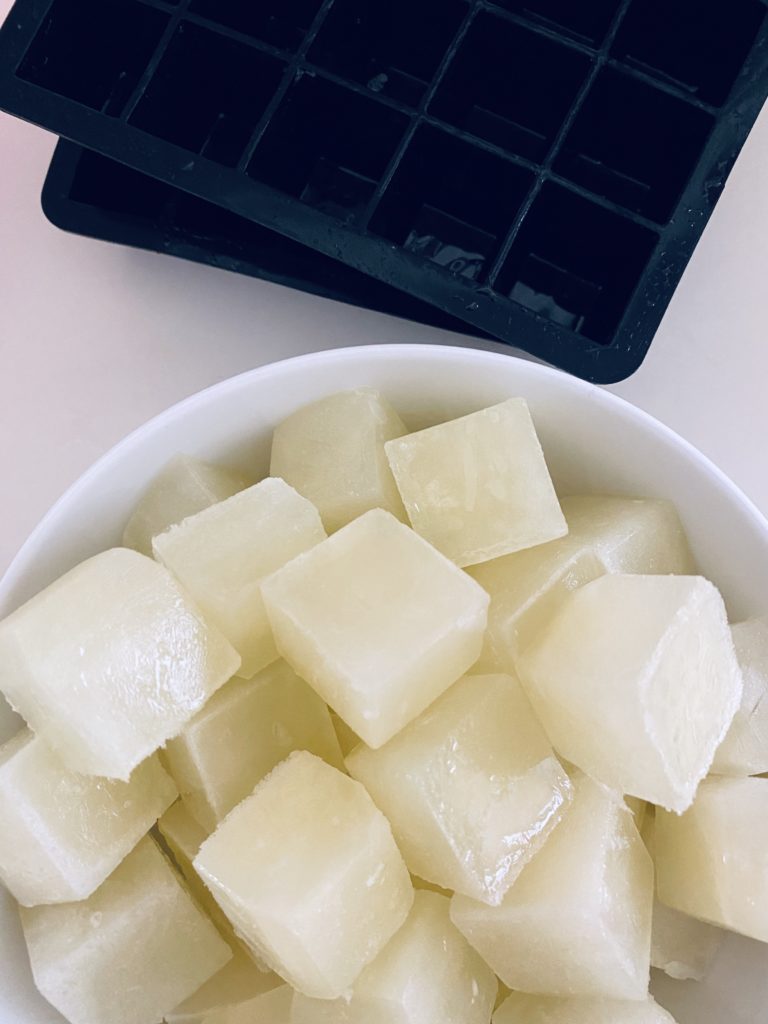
[95, 339]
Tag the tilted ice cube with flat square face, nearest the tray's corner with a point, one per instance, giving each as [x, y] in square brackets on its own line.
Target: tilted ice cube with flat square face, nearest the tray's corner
[479, 488]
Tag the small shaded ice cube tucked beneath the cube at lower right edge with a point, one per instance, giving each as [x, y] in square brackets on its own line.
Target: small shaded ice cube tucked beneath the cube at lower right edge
[682, 947]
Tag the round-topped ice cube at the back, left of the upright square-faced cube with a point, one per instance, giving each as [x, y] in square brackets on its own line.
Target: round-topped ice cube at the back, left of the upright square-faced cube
[333, 453]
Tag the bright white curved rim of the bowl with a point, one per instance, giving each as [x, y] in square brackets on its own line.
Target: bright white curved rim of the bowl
[380, 353]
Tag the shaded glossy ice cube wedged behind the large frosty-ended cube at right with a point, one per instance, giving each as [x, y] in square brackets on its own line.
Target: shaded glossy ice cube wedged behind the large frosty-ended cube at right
[606, 535]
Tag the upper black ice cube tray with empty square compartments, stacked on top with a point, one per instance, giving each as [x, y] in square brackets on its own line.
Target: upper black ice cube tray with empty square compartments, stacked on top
[541, 169]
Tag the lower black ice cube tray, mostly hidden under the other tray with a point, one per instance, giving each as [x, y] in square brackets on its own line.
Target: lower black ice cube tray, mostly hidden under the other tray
[92, 195]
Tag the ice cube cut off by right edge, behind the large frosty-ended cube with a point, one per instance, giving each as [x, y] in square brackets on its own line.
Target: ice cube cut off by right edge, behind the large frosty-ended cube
[745, 750]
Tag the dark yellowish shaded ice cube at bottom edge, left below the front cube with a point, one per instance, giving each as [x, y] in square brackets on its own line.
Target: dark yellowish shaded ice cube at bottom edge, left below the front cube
[237, 985]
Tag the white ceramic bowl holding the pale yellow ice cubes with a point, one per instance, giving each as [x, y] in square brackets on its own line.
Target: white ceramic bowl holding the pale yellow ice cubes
[593, 442]
